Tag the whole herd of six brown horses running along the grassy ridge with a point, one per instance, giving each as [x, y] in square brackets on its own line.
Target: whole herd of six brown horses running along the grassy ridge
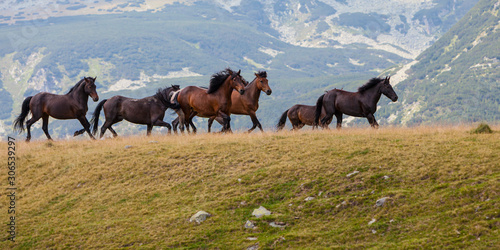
[228, 93]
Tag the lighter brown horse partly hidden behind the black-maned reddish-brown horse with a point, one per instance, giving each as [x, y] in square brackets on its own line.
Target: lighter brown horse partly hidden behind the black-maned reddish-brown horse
[246, 104]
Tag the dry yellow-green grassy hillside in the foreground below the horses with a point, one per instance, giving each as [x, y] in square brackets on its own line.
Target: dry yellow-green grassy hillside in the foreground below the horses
[442, 184]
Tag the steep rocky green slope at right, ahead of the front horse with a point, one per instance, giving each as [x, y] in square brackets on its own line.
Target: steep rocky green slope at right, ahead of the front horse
[458, 78]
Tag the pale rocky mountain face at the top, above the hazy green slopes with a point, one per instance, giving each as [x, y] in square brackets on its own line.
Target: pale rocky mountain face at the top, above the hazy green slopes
[402, 27]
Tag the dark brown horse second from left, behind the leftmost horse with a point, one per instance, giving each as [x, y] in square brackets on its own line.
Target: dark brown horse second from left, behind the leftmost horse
[148, 111]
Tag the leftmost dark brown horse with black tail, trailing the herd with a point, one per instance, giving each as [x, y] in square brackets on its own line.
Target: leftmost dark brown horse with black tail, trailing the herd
[72, 105]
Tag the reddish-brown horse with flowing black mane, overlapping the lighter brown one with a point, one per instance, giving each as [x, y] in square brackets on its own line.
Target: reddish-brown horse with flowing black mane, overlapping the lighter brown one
[216, 101]
